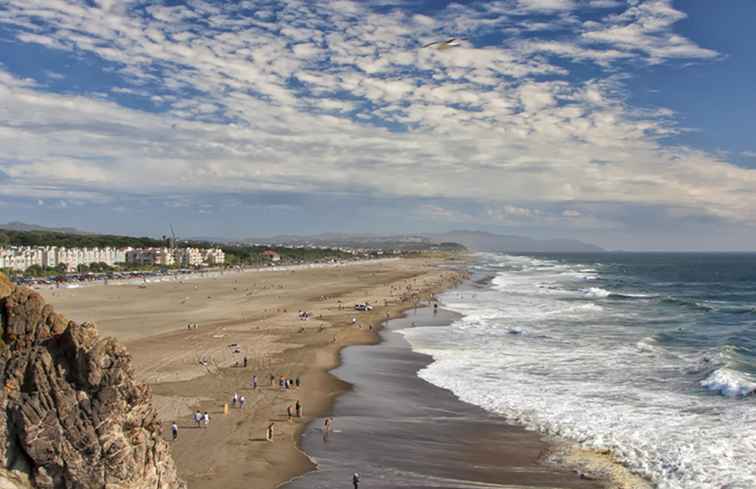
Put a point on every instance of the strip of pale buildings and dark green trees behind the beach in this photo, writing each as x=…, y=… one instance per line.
x=44, y=255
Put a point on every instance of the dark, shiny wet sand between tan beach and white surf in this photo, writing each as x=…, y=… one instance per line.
x=396, y=430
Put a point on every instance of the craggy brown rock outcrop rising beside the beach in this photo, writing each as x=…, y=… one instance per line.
x=71, y=413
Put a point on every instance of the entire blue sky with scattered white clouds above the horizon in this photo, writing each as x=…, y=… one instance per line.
x=624, y=123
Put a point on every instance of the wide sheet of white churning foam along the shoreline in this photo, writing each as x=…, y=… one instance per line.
x=570, y=373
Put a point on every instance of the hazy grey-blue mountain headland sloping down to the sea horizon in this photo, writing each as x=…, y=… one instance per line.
x=483, y=241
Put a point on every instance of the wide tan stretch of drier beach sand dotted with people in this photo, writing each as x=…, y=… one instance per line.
x=256, y=313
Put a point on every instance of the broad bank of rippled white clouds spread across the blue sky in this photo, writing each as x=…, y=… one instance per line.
x=253, y=105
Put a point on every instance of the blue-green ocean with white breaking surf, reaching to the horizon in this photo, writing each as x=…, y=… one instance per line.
x=651, y=356
